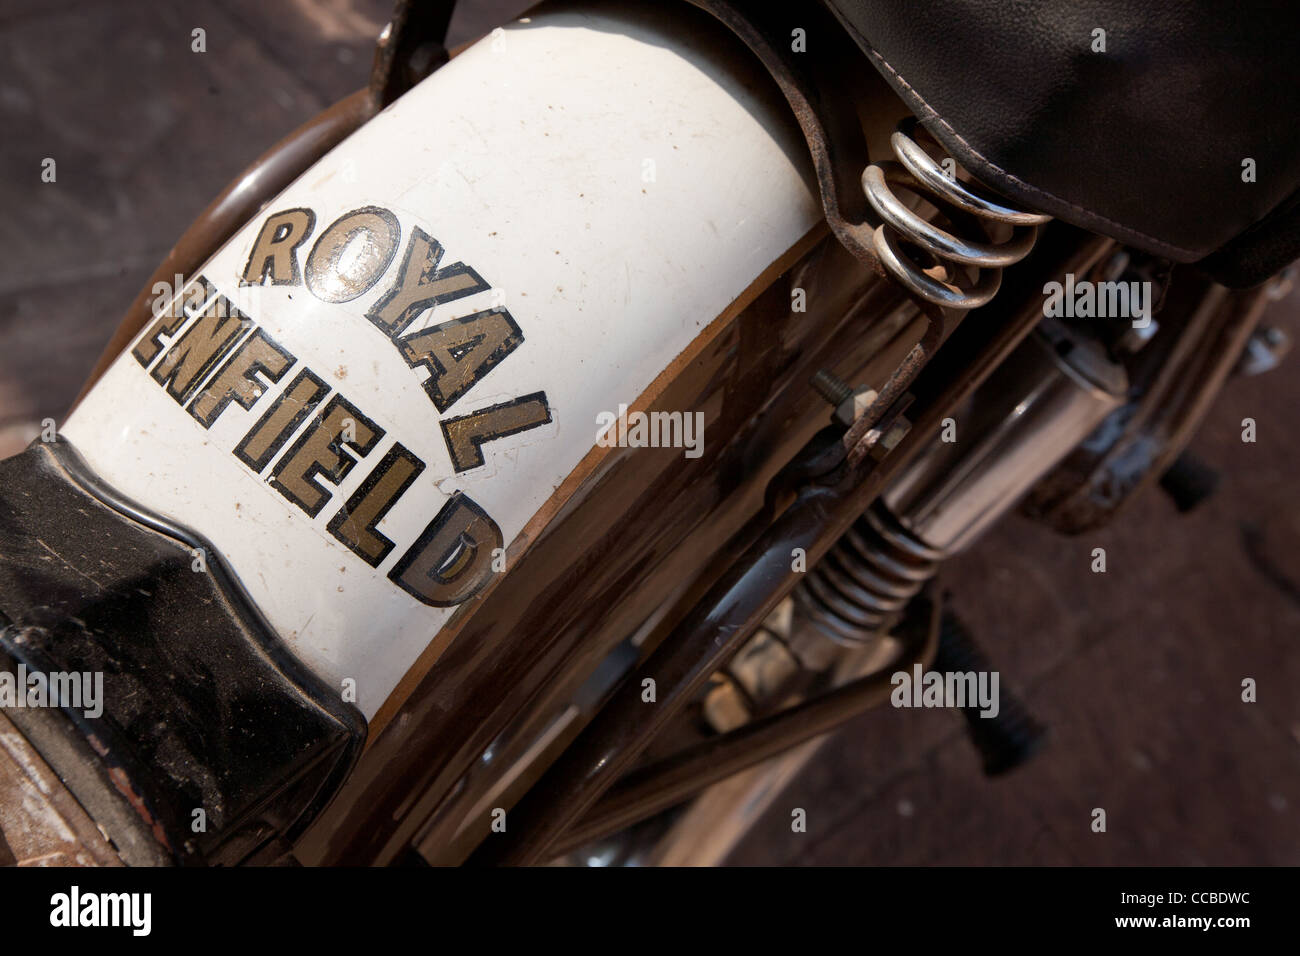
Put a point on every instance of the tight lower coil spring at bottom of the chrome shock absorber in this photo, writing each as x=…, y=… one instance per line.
x=866, y=578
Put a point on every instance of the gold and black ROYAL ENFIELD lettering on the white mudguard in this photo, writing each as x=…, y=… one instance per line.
x=206, y=354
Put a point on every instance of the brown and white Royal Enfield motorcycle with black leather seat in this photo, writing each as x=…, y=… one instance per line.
x=534, y=457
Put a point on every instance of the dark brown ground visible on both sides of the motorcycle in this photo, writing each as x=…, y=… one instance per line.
x=1138, y=672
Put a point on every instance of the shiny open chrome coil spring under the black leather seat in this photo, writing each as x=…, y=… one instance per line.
x=961, y=204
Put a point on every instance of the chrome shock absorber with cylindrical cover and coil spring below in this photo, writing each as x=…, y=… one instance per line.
x=1046, y=399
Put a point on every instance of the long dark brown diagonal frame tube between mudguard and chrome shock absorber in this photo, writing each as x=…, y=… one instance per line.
x=738, y=604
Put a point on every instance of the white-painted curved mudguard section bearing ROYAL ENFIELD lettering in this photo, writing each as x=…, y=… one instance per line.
x=371, y=396
